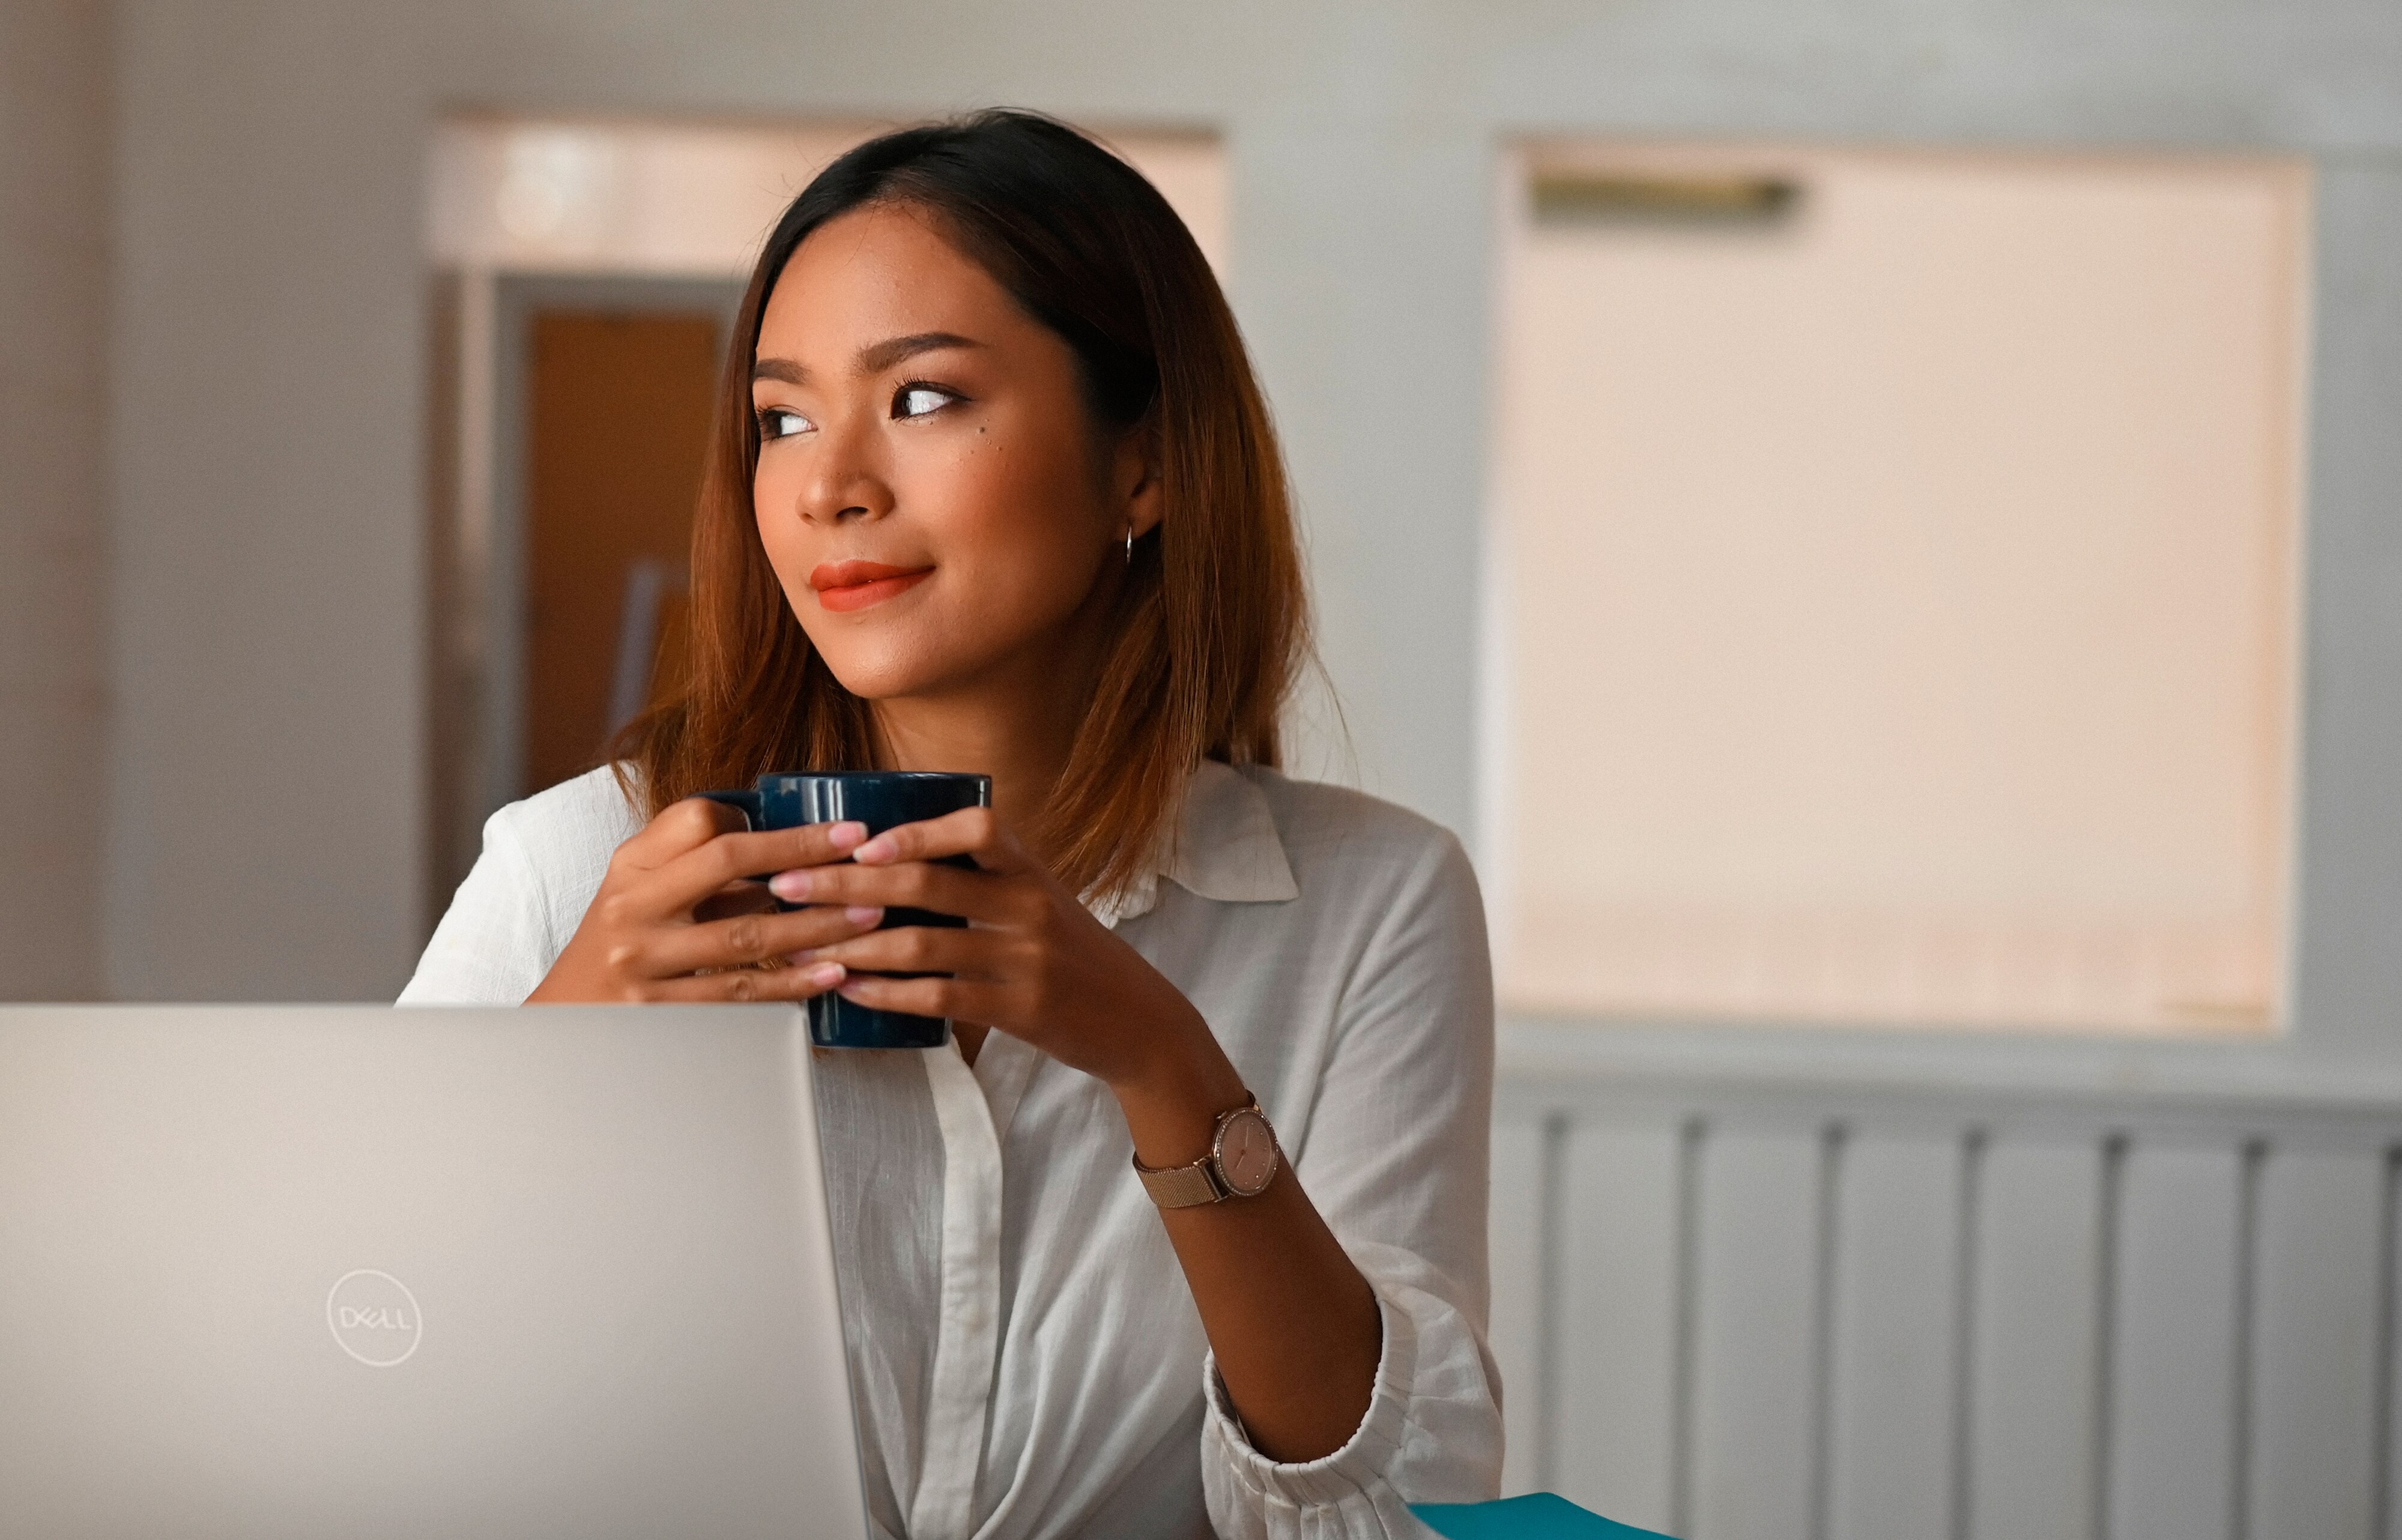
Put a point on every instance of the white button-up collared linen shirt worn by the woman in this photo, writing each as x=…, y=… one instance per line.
x=1024, y=1351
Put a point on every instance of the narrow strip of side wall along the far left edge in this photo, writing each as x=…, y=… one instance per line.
x=54, y=662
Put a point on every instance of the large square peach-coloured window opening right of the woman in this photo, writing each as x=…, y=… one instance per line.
x=1887, y=655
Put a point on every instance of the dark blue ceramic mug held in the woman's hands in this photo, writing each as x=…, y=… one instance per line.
x=883, y=801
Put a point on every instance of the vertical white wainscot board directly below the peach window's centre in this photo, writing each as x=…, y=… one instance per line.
x=1894, y=1409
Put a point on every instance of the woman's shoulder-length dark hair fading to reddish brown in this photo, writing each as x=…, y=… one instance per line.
x=1212, y=621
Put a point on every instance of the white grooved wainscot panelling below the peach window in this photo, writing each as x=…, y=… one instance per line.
x=1769, y=1287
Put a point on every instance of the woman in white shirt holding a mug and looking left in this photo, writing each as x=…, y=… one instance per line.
x=993, y=491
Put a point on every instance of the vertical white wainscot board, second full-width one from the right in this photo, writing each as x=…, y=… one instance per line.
x=2175, y=1359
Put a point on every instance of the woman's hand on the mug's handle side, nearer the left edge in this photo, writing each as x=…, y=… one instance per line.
x=681, y=919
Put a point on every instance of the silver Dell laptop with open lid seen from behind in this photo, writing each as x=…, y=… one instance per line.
x=417, y=1272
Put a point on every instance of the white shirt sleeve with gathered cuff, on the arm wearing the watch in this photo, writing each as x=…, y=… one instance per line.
x=1397, y=1159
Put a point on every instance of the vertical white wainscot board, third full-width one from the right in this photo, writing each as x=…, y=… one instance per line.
x=2036, y=1335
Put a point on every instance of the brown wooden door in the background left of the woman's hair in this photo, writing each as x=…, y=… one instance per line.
x=619, y=424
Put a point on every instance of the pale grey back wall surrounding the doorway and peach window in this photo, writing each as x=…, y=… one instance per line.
x=270, y=366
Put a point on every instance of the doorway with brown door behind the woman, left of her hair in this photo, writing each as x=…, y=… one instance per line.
x=563, y=592
